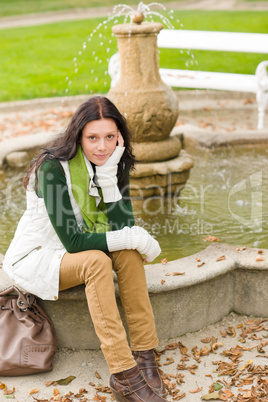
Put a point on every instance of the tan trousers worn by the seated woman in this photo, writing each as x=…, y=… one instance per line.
x=95, y=269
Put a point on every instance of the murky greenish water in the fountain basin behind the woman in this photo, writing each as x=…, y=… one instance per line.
x=226, y=196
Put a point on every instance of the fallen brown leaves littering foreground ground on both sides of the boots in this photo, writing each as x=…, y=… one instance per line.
x=234, y=377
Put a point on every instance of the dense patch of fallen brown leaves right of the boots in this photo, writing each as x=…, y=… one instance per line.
x=237, y=375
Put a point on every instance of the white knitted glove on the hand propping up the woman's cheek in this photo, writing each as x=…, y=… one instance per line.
x=106, y=176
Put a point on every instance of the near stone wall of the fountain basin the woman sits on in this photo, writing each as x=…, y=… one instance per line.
x=185, y=297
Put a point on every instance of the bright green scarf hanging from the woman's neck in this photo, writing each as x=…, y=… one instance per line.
x=95, y=217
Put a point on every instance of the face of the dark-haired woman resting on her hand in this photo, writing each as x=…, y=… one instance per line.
x=99, y=139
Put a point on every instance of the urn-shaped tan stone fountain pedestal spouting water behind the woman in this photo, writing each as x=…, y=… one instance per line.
x=151, y=109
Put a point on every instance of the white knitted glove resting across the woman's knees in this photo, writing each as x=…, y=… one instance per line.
x=134, y=238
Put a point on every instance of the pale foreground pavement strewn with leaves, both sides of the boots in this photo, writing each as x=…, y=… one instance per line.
x=230, y=355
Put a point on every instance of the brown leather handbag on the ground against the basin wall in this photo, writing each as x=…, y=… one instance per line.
x=27, y=336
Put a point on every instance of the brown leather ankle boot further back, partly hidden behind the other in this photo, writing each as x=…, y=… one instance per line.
x=149, y=369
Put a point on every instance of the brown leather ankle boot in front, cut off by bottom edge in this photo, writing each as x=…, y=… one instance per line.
x=130, y=386
